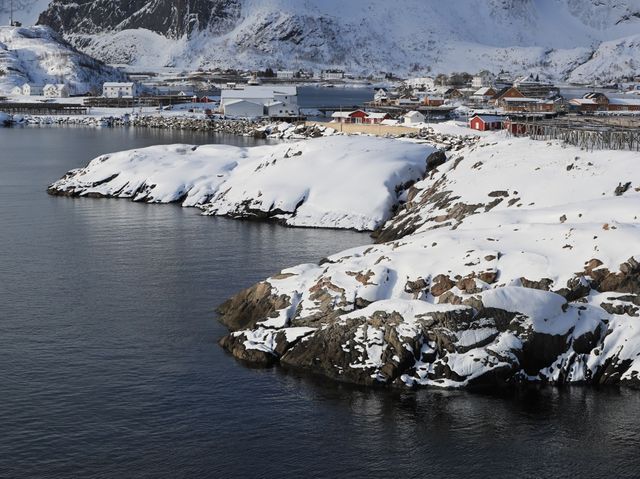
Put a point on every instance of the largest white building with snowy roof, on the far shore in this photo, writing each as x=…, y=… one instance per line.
x=254, y=101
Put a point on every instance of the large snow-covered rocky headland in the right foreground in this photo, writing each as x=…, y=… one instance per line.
x=516, y=260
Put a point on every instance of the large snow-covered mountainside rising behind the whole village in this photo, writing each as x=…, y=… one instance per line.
x=552, y=37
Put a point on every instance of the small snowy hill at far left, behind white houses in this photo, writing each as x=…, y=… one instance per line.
x=38, y=56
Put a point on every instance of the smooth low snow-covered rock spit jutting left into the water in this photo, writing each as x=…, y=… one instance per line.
x=335, y=182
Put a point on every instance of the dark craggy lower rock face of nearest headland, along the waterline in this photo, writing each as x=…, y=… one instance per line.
x=444, y=345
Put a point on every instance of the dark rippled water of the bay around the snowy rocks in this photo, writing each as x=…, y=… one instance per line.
x=109, y=366
